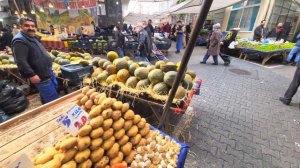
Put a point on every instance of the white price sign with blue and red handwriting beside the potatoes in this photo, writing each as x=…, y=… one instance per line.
x=73, y=119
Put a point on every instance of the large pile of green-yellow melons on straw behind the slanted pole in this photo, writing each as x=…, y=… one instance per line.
x=140, y=76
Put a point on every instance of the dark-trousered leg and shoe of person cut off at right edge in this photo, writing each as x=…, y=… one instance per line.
x=292, y=88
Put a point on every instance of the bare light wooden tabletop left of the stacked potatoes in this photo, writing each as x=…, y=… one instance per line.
x=34, y=130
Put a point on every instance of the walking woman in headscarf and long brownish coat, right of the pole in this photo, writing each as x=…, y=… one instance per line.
x=214, y=45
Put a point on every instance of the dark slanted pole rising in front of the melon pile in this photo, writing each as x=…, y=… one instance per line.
x=186, y=57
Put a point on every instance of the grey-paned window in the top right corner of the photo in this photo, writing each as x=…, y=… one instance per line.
x=287, y=12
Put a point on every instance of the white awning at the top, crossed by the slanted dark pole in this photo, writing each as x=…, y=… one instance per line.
x=195, y=8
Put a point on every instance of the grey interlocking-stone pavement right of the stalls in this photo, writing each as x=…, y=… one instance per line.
x=239, y=121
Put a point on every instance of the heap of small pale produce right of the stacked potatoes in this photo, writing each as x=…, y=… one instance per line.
x=160, y=152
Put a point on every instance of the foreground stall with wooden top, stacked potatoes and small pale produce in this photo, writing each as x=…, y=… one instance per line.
x=114, y=134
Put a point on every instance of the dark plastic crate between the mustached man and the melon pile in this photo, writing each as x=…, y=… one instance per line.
x=76, y=72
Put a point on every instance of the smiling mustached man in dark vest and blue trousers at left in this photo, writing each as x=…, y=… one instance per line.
x=33, y=60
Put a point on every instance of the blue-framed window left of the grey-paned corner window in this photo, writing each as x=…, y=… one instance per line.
x=243, y=15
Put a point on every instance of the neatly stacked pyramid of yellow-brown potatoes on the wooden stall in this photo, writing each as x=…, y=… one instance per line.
x=110, y=137
